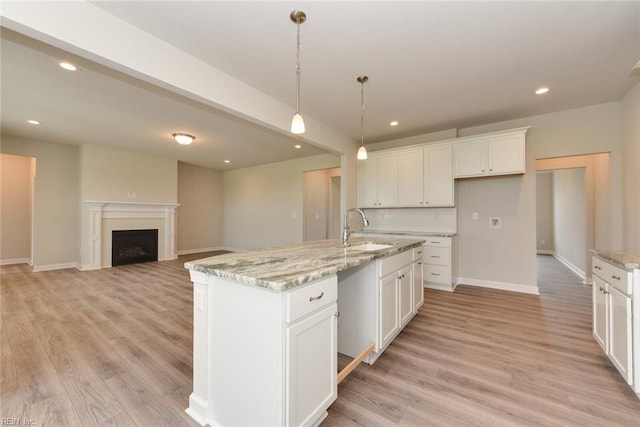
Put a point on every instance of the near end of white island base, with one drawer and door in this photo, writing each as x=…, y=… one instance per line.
x=262, y=357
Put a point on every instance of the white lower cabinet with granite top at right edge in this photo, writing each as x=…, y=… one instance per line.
x=613, y=314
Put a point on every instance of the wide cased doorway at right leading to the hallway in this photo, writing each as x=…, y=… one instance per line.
x=572, y=209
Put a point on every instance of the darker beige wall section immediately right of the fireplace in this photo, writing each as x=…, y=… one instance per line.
x=199, y=216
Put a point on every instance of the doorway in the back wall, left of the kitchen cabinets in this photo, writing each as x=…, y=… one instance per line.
x=321, y=210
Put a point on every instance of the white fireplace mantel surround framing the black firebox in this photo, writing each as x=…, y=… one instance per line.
x=94, y=212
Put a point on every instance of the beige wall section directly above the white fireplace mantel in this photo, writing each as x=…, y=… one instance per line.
x=111, y=174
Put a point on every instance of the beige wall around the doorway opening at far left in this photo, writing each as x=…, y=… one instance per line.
x=56, y=230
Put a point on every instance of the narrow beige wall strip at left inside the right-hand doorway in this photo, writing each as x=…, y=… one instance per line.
x=544, y=212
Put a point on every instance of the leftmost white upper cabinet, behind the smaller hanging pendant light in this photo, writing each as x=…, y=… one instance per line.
x=378, y=180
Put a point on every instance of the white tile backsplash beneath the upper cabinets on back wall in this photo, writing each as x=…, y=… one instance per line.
x=413, y=219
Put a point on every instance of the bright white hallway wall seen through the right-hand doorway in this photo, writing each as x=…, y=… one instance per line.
x=570, y=218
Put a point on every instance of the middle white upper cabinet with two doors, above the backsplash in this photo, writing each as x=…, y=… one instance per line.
x=425, y=177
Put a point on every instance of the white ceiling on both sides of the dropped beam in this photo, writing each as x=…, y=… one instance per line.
x=432, y=66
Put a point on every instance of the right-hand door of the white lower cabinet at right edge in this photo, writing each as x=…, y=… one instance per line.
x=620, y=344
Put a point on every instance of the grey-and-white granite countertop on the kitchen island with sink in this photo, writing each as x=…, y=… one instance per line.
x=284, y=267
